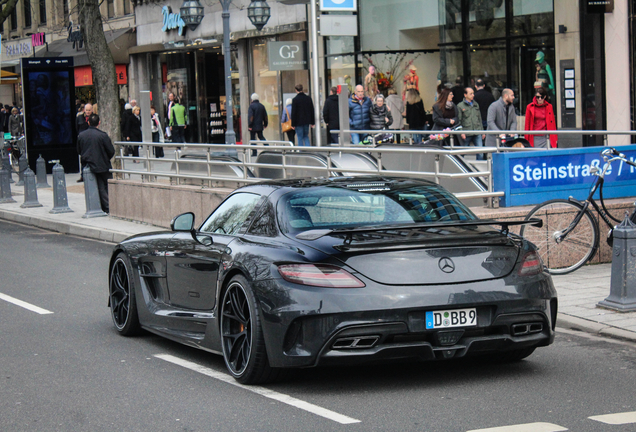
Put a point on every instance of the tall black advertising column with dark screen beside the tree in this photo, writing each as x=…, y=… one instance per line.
x=47, y=91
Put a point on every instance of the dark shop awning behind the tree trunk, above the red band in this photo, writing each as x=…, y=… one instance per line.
x=119, y=41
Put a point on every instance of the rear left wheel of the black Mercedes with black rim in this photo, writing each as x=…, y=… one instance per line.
x=242, y=335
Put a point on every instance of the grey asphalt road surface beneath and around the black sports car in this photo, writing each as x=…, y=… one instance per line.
x=68, y=370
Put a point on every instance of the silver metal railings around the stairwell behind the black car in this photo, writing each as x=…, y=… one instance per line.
x=238, y=157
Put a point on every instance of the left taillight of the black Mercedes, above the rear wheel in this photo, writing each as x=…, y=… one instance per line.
x=319, y=275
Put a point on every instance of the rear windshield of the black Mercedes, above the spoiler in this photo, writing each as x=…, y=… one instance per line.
x=341, y=207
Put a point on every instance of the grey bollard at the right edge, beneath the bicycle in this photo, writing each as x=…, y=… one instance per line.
x=622, y=296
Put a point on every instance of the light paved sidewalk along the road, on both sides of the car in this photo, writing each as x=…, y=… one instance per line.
x=579, y=292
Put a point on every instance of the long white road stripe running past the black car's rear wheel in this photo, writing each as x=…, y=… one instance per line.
x=283, y=398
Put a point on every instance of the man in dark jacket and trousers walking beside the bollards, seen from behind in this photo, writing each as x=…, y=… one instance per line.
x=96, y=150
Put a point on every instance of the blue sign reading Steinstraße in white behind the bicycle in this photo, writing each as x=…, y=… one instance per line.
x=534, y=177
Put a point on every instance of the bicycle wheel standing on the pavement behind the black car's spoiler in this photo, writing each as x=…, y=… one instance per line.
x=577, y=247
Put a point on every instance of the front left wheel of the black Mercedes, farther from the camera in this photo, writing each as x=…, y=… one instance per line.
x=122, y=300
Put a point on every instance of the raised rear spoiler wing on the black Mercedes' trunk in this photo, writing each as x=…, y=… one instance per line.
x=318, y=233
